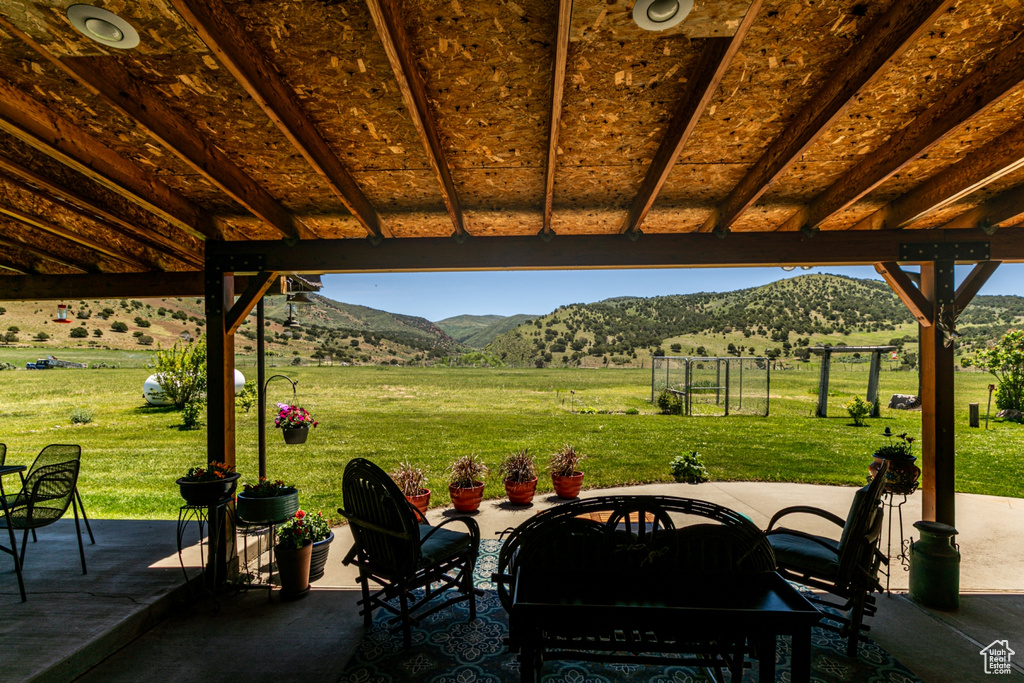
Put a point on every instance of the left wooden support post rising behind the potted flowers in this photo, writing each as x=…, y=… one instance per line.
x=223, y=562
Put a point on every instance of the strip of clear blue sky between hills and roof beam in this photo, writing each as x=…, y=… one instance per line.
x=440, y=295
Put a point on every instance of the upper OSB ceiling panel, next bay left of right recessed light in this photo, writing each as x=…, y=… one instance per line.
x=488, y=69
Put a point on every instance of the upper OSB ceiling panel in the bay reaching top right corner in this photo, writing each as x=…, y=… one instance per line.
x=961, y=41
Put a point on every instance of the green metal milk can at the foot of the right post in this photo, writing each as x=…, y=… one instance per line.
x=935, y=567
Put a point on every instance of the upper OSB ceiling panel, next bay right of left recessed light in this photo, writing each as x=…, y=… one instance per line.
x=346, y=84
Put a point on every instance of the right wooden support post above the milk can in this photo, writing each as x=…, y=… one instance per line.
x=938, y=434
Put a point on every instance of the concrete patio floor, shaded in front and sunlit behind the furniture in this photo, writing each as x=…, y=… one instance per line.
x=133, y=618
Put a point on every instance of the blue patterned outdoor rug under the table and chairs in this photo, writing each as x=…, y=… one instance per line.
x=449, y=649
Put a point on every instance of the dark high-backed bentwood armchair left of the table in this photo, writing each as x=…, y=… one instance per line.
x=402, y=556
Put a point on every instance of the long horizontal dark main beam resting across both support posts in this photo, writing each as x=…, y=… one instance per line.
x=608, y=251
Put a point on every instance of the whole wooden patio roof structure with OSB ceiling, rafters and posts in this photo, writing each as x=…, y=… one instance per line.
x=244, y=141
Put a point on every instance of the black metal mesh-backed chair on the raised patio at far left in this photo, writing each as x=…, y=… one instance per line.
x=48, y=494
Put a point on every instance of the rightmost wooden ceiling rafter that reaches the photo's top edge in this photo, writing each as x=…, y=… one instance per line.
x=890, y=37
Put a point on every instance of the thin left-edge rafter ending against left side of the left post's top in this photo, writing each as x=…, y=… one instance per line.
x=75, y=202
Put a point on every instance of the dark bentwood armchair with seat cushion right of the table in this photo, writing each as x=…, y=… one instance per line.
x=847, y=568
